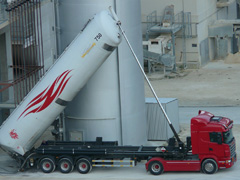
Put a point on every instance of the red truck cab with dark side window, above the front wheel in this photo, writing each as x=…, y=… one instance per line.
x=212, y=138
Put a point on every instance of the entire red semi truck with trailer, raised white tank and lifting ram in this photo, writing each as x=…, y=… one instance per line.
x=210, y=147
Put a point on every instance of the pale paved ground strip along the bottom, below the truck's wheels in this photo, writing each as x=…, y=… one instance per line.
x=129, y=173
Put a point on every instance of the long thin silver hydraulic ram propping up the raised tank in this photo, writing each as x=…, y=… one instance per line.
x=144, y=74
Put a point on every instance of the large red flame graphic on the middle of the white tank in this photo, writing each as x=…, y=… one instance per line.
x=48, y=95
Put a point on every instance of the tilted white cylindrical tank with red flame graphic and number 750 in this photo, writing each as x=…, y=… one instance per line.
x=60, y=84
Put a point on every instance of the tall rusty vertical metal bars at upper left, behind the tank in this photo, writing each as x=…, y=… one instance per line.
x=25, y=24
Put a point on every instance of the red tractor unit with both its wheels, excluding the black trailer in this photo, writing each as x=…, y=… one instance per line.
x=211, y=147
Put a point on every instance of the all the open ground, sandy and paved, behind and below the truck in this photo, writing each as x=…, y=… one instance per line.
x=214, y=88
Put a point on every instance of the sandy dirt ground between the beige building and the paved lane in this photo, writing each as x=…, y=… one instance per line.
x=216, y=84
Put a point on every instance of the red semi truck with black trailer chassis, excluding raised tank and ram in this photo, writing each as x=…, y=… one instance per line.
x=210, y=147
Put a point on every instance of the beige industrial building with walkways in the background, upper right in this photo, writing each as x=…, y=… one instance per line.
x=204, y=30
